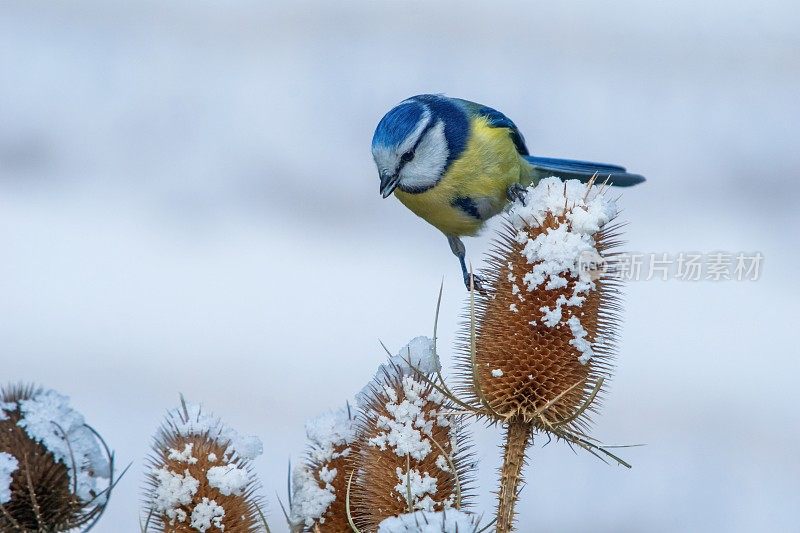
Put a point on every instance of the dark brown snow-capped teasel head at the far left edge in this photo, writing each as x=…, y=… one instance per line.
x=56, y=473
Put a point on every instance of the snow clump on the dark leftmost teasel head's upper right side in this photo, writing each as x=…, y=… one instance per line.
x=48, y=419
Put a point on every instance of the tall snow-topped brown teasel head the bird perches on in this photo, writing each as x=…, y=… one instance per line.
x=543, y=333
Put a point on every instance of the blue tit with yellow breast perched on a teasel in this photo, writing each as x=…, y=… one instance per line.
x=456, y=164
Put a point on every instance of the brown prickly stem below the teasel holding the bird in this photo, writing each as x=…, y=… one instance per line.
x=518, y=436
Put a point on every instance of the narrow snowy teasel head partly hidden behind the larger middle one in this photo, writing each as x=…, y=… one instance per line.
x=319, y=486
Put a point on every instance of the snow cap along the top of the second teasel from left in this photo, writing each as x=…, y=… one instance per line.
x=199, y=422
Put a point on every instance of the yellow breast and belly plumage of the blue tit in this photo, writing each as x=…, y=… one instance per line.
x=484, y=171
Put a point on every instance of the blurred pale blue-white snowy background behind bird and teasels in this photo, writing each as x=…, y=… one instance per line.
x=188, y=204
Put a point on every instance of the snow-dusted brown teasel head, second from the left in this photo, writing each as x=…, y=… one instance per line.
x=199, y=476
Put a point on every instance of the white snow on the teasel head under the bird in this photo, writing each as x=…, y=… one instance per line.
x=557, y=255
